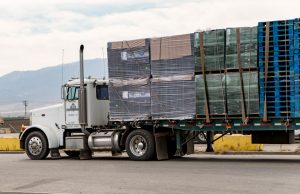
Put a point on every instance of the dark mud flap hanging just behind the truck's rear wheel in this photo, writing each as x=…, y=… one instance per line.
x=161, y=146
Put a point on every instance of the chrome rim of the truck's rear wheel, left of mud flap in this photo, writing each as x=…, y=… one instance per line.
x=138, y=145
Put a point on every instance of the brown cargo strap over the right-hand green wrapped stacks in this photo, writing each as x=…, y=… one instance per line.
x=238, y=48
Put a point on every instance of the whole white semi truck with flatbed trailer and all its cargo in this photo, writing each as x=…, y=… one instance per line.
x=171, y=89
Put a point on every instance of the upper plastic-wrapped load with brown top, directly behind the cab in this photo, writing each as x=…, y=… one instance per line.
x=129, y=59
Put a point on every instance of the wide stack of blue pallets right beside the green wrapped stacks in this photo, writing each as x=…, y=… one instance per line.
x=277, y=84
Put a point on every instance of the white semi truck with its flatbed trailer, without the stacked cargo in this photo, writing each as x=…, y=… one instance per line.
x=80, y=126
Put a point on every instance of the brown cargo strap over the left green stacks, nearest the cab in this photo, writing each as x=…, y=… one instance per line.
x=202, y=62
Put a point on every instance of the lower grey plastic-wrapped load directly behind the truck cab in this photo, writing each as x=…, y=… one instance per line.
x=130, y=102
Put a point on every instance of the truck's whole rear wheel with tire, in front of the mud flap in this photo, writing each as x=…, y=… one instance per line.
x=140, y=145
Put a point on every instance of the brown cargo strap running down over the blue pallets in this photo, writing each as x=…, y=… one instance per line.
x=265, y=118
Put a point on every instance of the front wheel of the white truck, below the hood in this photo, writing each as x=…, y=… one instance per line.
x=36, y=146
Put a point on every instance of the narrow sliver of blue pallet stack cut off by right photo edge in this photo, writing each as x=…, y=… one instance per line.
x=297, y=66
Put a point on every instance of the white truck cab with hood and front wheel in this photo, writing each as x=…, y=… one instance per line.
x=50, y=125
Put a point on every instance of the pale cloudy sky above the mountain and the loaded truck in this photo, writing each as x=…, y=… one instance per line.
x=34, y=34
